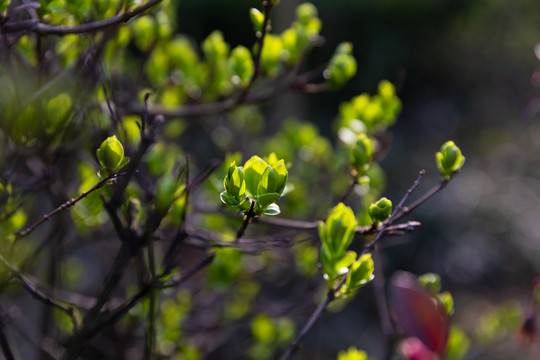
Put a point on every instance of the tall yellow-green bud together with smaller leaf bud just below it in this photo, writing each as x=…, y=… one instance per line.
x=336, y=235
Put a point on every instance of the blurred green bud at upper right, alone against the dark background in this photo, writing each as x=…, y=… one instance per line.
x=342, y=67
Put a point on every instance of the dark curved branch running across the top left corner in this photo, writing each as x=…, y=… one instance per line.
x=88, y=28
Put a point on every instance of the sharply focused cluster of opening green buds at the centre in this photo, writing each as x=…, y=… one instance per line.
x=256, y=185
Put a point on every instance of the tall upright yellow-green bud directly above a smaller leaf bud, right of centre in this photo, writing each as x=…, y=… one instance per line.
x=338, y=231
